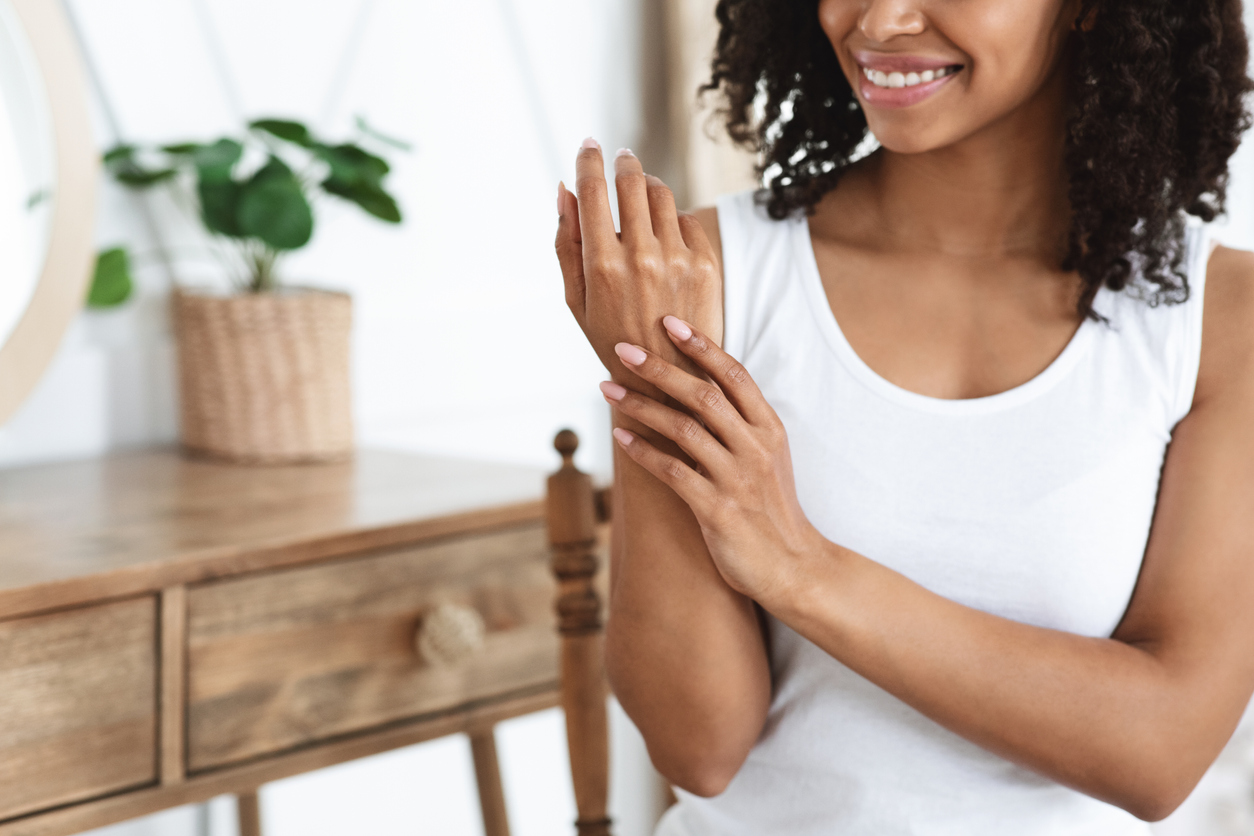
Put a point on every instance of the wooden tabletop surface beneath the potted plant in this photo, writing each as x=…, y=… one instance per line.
x=132, y=523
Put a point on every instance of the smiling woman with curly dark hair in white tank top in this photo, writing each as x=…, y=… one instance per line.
x=951, y=536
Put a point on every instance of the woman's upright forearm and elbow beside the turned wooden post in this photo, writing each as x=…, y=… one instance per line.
x=685, y=654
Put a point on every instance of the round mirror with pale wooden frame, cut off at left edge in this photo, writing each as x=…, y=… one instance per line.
x=48, y=172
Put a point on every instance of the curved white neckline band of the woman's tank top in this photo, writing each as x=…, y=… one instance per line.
x=827, y=321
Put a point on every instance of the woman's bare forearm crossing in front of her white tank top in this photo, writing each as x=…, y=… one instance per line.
x=1098, y=715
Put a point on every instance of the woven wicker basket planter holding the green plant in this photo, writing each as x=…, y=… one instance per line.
x=264, y=378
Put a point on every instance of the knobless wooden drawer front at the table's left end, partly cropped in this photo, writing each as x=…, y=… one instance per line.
x=78, y=705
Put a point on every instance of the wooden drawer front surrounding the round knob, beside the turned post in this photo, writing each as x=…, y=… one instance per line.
x=289, y=657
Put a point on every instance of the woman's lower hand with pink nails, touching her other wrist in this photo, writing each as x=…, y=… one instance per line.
x=742, y=491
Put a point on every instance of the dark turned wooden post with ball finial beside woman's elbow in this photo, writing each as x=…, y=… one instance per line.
x=572, y=531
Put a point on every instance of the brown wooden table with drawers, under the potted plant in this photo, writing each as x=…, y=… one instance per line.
x=176, y=630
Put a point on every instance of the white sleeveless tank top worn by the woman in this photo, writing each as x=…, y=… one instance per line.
x=1034, y=504
